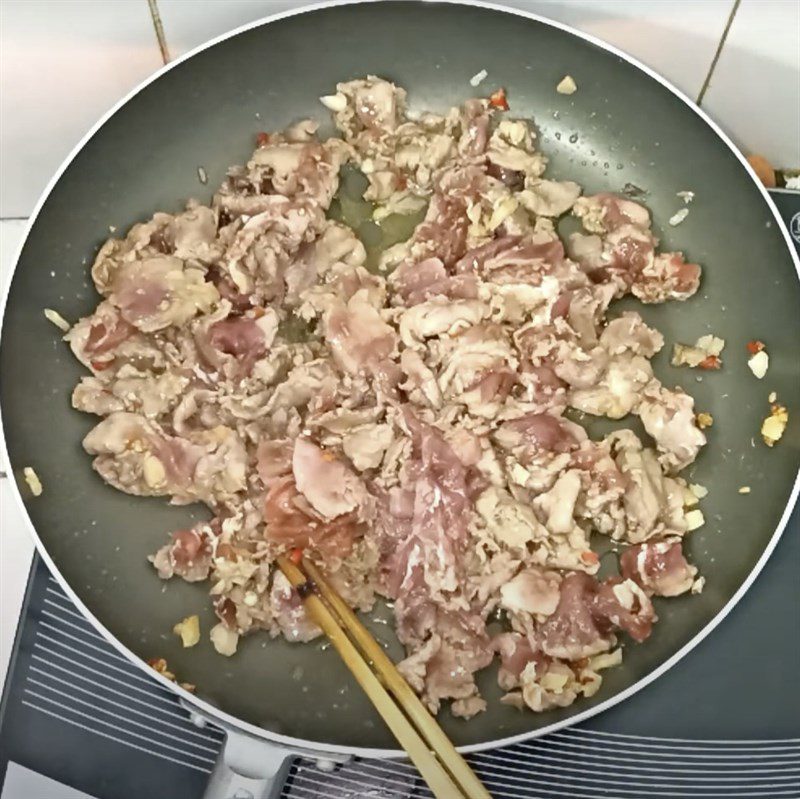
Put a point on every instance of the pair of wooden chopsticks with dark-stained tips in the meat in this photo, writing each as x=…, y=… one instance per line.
x=447, y=774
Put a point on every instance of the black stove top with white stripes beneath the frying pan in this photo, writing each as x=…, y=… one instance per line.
x=78, y=720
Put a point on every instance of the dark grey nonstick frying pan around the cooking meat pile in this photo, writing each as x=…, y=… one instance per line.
x=624, y=125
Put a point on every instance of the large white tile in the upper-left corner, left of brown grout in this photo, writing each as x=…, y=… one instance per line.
x=63, y=64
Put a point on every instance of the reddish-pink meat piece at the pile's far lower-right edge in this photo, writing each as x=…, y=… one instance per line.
x=659, y=567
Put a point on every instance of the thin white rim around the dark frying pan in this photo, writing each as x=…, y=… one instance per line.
x=228, y=721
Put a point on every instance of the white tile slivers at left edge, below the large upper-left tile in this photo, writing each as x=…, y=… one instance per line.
x=16, y=546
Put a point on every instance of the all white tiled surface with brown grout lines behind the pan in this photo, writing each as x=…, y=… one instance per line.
x=63, y=63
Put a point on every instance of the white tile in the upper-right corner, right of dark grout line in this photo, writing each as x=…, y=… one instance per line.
x=755, y=89
